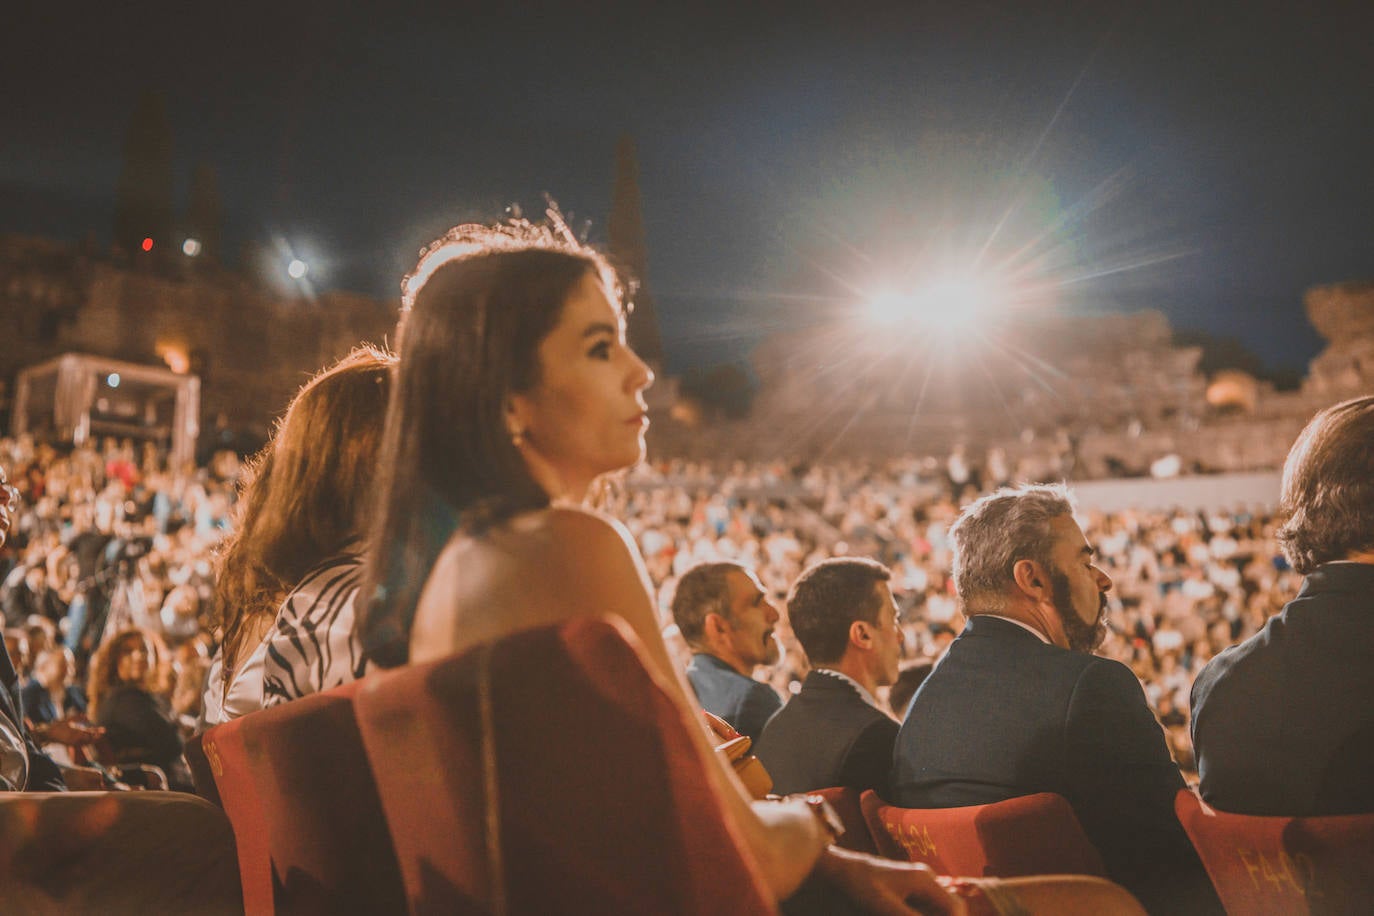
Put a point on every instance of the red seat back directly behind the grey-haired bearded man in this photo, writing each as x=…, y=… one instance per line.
x=1027, y=836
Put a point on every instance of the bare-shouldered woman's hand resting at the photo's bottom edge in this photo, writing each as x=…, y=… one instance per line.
x=888, y=888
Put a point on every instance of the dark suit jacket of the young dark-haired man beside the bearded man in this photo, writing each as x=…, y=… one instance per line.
x=828, y=735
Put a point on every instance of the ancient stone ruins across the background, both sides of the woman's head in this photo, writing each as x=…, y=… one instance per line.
x=1120, y=388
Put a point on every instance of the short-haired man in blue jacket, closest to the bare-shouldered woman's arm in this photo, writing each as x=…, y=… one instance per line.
x=728, y=620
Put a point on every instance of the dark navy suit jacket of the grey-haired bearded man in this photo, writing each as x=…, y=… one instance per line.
x=1005, y=715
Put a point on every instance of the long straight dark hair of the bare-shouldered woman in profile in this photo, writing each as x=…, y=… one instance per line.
x=479, y=306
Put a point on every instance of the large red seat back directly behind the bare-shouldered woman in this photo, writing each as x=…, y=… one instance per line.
x=550, y=772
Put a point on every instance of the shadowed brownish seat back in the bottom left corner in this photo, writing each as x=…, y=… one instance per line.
x=116, y=855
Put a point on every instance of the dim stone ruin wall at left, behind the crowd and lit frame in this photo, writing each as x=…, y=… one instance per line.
x=251, y=345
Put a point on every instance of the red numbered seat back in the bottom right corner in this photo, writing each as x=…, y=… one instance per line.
x=1284, y=866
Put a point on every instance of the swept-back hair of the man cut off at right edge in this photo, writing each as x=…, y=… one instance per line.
x=1328, y=496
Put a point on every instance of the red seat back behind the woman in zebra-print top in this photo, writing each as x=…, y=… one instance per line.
x=321, y=844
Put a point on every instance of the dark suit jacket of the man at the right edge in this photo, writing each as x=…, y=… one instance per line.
x=1284, y=723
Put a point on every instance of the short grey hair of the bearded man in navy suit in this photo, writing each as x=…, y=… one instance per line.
x=1000, y=529
